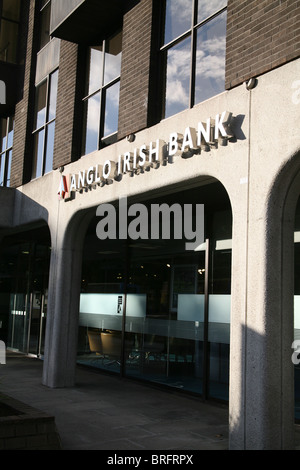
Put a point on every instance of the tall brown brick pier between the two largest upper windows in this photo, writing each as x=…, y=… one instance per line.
x=136, y=62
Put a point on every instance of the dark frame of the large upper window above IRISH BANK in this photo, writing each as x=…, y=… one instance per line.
x=164, y=48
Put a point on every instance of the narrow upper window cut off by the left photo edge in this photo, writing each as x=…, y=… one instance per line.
x=6, y=133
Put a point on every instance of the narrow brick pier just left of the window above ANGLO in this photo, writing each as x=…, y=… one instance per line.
x=68, y=117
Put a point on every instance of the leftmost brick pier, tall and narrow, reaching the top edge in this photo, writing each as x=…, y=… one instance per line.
x=22, y=146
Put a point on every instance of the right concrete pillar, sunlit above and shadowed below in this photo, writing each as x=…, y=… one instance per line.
x=261, y=406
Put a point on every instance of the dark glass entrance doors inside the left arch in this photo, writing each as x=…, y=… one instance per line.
x=29, y=265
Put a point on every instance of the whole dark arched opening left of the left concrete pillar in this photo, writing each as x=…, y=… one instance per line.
x=24, y=275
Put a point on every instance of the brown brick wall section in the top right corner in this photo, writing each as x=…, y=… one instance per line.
x=261, y=35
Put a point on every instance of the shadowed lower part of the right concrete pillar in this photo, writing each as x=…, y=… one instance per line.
x=263, y=417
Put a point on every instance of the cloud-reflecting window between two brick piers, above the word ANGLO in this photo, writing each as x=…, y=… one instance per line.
x=101, y=103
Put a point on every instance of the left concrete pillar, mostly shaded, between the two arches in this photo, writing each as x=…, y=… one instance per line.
x=63, y=305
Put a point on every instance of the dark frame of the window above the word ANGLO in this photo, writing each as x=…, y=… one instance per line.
x=102, y=139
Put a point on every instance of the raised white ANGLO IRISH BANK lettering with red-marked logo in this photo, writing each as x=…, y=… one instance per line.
x=153, y=155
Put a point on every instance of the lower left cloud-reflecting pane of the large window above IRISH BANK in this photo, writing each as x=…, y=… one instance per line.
x=178, y=78
